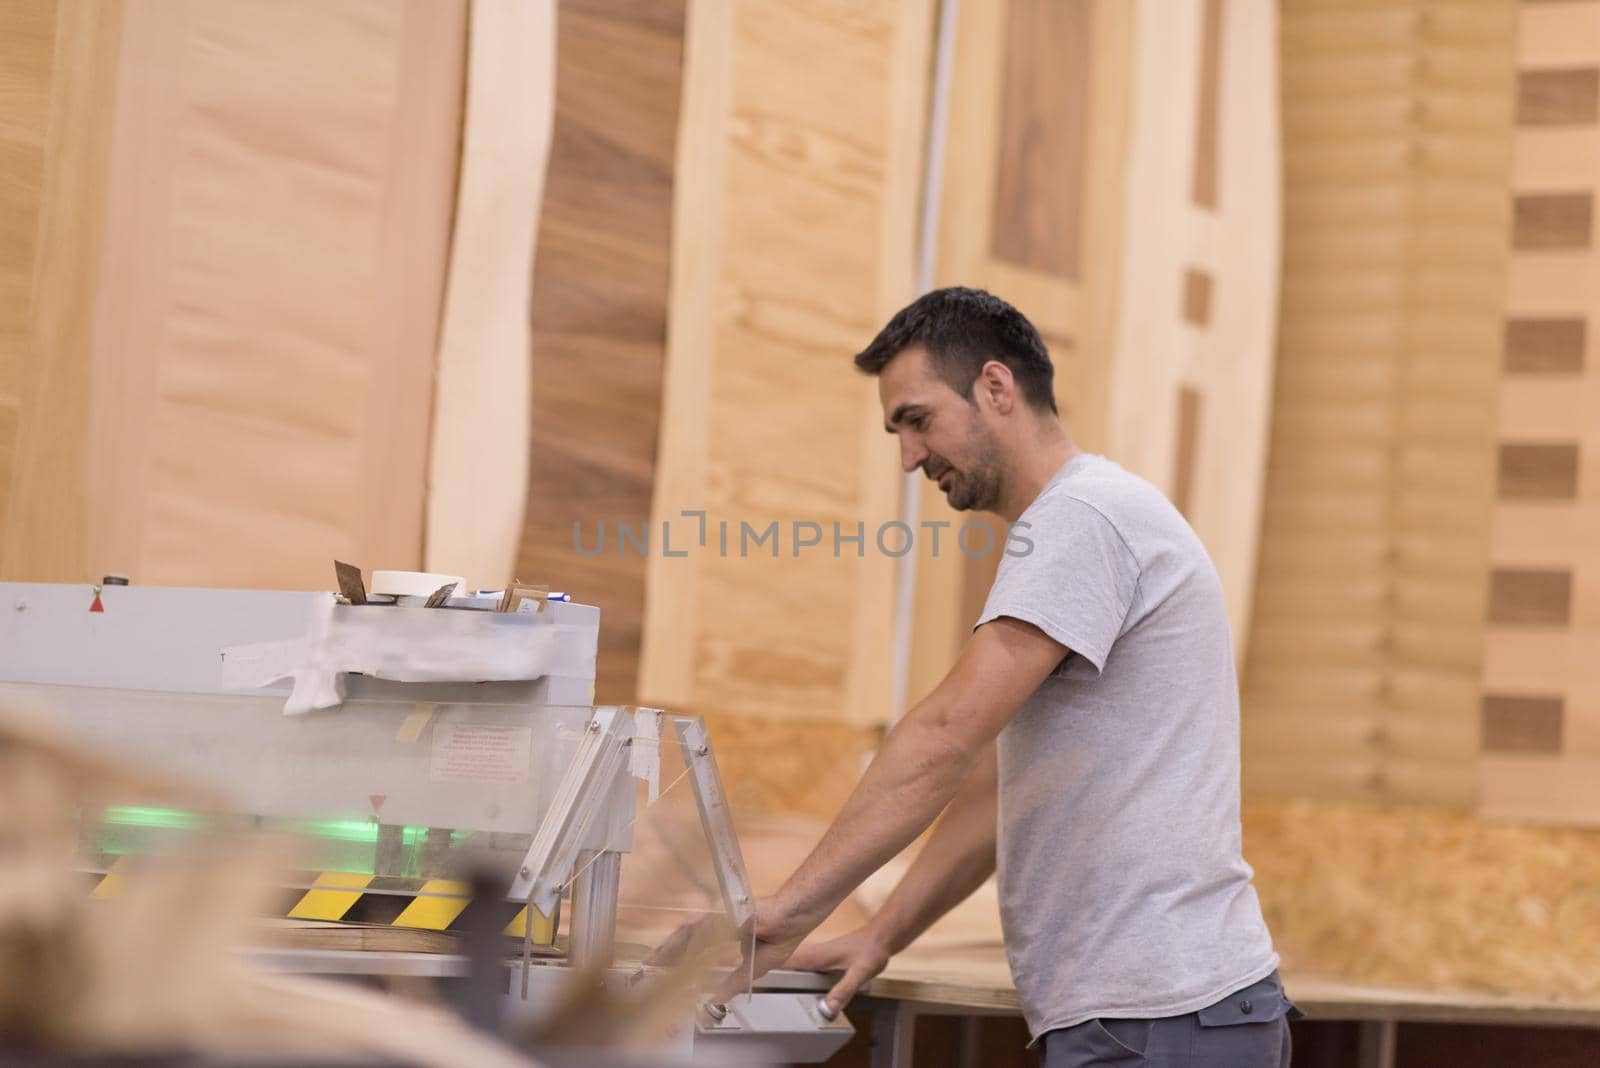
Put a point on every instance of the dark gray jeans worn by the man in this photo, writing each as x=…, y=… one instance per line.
x=1250, y=1029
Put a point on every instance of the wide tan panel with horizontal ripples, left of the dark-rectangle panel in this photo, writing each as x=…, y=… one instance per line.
x=1362, y=674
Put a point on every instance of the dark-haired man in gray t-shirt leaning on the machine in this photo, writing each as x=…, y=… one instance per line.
x=1086, y=744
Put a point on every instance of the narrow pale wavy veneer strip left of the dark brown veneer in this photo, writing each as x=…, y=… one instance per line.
x=482, y=377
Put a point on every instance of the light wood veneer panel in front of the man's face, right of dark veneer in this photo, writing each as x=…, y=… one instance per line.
x=796, y=205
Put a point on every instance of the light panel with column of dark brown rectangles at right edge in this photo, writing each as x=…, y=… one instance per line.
x=1542, y=677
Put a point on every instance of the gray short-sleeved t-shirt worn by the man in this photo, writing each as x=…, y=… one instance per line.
x=1122, y=887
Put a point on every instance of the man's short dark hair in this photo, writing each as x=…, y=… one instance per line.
x=964, y=330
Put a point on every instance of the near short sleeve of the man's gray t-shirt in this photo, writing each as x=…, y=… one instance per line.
x=1068, y=573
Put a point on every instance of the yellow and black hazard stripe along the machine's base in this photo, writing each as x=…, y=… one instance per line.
x=394, y=903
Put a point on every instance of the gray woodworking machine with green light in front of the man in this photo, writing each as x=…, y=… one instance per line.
x=399, y=744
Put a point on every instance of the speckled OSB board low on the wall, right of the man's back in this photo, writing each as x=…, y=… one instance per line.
x=1428, y=898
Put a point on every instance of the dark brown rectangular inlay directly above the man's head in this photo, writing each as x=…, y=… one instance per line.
x=1044, y=135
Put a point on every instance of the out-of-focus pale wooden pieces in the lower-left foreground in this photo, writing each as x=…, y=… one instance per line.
x=154, y=970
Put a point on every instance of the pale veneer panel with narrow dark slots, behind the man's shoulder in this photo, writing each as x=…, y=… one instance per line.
x=1234, y=244
